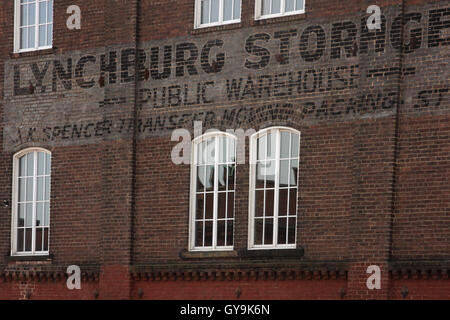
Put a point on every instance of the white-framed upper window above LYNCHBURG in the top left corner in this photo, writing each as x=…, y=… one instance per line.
x=33, y=25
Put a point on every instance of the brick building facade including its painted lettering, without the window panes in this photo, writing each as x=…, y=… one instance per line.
x=371, y=109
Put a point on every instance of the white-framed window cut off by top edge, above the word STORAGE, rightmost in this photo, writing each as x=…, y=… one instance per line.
x=278, y=8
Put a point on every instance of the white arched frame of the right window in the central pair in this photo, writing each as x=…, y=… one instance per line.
x=252, y=192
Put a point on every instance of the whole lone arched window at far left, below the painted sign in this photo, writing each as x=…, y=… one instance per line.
x=31, y=202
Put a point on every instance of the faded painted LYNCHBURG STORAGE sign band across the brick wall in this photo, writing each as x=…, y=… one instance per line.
x=313, y=72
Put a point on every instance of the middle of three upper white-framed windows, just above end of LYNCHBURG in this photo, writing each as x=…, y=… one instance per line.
x=210, y=13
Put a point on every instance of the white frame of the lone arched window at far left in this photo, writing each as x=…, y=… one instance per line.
x=15, y=195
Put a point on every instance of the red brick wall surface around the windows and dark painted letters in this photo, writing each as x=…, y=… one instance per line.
x=373, y=185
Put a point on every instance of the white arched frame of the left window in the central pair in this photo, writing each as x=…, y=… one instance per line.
x=193, y=185
